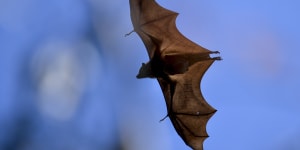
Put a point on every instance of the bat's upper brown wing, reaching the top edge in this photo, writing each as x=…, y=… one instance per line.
x=156, y=27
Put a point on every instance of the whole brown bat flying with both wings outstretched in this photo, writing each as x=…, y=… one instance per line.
x=179, y=65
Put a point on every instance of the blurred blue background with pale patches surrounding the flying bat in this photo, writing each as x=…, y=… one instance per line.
x=67, y=78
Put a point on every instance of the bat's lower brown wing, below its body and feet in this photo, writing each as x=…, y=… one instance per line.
x=187, y=109
